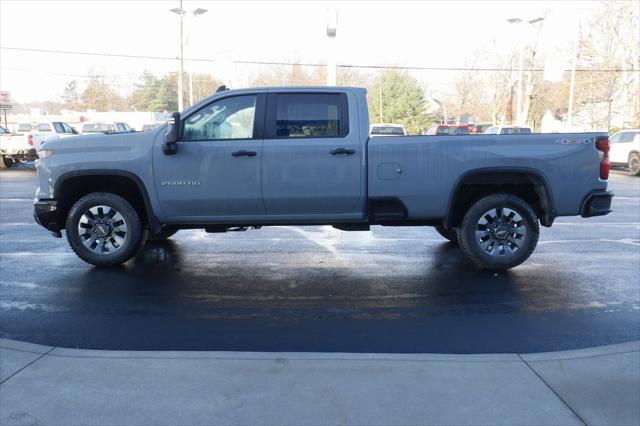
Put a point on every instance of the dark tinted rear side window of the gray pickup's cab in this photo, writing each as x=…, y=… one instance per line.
x=309, y=115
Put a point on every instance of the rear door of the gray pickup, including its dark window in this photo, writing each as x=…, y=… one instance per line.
x=312, y=161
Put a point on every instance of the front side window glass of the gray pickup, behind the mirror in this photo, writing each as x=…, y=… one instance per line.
x=229, y=118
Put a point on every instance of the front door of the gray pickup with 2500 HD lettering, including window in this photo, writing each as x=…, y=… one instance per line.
x=216, y=170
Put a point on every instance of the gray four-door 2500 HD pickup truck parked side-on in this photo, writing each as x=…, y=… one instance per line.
x=302, y=156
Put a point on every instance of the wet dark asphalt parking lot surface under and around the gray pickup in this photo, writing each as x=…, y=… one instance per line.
x=323, y=290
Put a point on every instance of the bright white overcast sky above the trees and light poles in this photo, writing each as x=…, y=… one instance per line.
x=430, y=33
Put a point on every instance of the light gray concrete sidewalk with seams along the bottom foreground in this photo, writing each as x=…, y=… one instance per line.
x=46, y=385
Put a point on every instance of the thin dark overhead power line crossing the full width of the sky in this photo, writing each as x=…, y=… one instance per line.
x=304, y=64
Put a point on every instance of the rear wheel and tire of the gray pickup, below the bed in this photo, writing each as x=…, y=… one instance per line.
x=505, y=241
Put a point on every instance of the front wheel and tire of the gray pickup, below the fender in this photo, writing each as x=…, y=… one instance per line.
x=133, y=238
